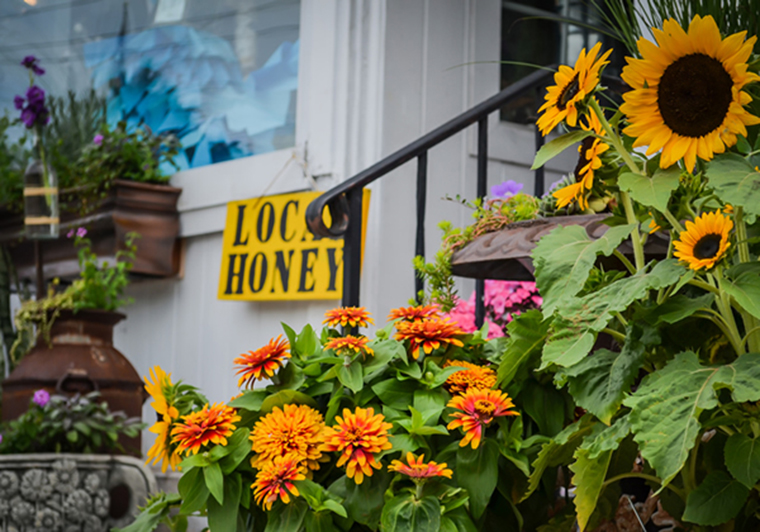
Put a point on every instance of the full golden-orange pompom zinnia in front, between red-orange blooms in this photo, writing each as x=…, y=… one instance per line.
x=294, y=431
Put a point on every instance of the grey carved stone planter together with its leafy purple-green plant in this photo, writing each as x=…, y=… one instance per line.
x=51, y=480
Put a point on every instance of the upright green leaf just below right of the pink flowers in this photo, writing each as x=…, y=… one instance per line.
x=527, y=334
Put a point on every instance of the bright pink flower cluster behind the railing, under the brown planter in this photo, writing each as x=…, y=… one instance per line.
x=503, y=300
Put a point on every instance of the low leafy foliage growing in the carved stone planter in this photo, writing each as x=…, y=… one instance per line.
x=79, y=424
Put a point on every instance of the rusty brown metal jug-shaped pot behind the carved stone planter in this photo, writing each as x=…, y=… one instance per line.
x=81, y=358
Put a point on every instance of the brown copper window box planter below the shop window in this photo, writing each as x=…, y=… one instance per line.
x=150, y=210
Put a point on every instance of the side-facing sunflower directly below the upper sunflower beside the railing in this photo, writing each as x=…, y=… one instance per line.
x=589, y=160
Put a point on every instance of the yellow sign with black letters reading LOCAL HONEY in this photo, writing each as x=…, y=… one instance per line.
x=268, y=253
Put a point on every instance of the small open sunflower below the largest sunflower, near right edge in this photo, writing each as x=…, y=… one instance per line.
x=704, y=241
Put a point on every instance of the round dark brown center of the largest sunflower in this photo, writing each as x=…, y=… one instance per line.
x=694, y=95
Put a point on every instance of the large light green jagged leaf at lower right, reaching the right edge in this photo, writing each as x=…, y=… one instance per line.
x=666, y=406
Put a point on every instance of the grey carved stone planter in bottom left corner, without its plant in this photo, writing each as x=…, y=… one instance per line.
x=71, y=492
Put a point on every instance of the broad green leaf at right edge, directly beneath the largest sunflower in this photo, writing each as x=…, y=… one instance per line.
x=735, y=181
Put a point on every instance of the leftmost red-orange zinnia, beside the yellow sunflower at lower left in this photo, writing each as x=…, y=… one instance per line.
x=213, y=425
